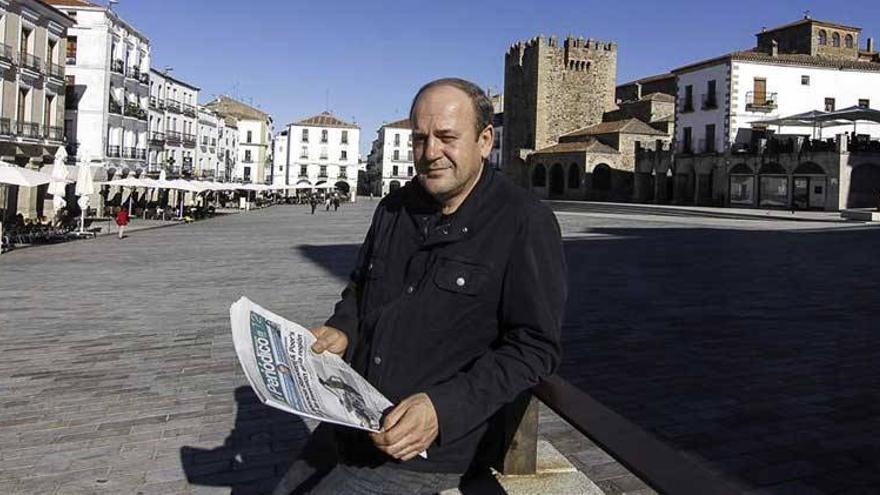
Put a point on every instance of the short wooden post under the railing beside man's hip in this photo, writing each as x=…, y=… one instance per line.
x=521, y=425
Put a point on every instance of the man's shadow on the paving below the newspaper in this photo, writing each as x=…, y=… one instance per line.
x=257, y=453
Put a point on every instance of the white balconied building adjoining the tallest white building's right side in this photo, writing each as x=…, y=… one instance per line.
x=173, y=125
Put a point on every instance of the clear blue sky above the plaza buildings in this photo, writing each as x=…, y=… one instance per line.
x=371, y=56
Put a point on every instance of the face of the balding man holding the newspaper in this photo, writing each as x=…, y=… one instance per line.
x=448, y=152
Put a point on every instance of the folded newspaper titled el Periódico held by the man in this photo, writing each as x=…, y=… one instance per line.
x=286, y=374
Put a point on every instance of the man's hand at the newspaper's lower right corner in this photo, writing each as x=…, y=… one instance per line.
x=408, y=429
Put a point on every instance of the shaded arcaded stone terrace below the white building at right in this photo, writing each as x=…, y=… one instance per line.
x=814, y=175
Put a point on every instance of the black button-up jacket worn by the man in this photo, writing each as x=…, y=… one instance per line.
x=467, y=309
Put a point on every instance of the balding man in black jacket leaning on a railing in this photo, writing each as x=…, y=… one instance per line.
x=454, y=307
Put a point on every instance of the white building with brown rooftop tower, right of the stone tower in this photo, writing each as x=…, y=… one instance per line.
x=803, y=66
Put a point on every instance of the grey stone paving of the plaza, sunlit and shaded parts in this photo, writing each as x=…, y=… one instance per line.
x=745, y=342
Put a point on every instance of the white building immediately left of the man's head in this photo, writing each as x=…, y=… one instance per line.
x=393, y=155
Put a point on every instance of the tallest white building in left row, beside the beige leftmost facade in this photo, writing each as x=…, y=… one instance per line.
x=108, y=66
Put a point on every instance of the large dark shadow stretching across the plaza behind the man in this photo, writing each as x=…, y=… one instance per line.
x=752, y=351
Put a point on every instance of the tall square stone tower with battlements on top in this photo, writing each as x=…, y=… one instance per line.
x=550, y=90
